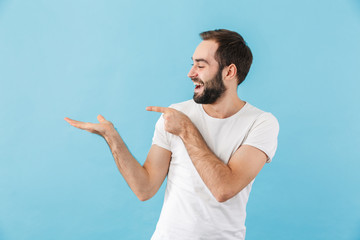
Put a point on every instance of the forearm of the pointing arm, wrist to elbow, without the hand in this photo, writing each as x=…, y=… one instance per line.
x=215, y=174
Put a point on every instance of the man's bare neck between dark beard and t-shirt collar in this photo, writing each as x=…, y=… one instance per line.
x=225, y=106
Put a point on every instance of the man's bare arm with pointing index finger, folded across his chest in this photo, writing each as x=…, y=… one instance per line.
x=223, y=180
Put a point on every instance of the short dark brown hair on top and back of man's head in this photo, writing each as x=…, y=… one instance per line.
x=232, y=49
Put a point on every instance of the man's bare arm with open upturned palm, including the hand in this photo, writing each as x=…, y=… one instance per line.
x=144, y=180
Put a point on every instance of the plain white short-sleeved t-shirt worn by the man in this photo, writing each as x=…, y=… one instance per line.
x=190, y=211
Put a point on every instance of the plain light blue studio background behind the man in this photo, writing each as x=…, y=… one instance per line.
x=81, y=58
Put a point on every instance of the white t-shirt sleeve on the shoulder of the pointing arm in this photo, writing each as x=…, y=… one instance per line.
x=263, y=135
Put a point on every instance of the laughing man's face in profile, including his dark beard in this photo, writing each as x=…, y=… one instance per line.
x=206, y=75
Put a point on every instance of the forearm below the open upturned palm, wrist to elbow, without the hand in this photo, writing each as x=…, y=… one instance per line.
x=134, y=174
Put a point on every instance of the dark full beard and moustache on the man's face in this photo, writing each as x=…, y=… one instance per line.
x=213, y=90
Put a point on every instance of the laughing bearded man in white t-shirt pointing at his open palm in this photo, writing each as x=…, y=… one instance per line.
x=211, y=148
